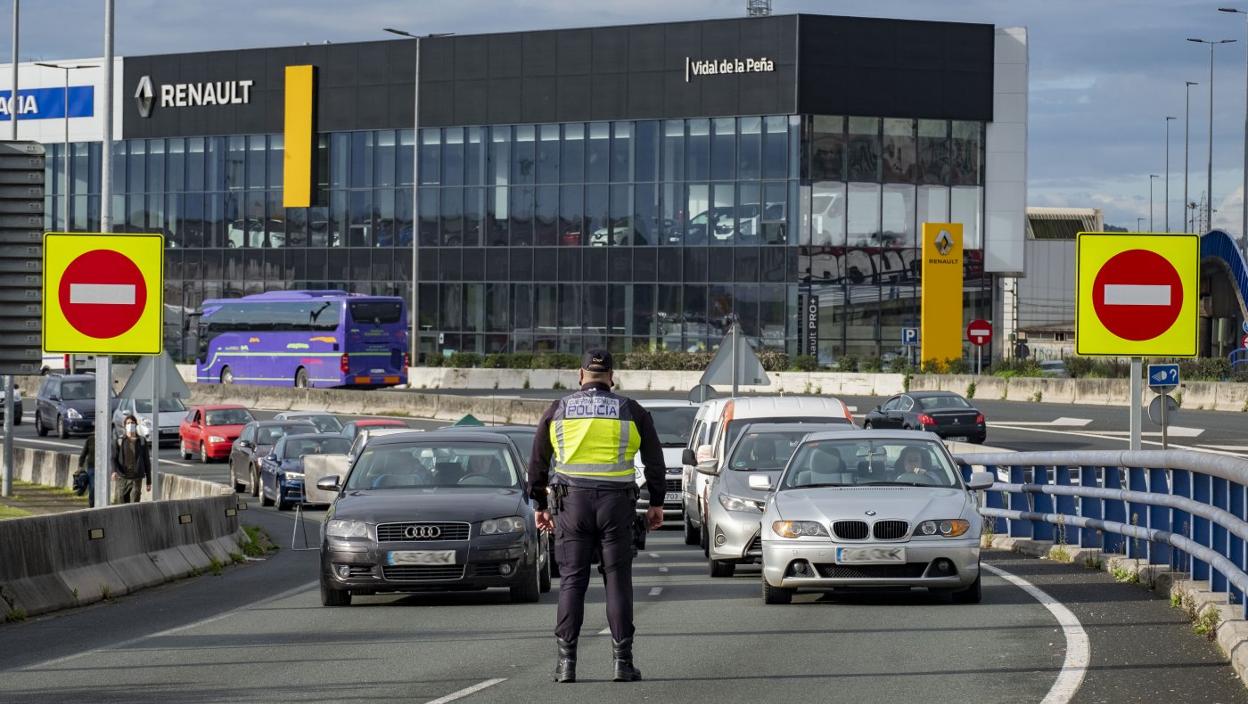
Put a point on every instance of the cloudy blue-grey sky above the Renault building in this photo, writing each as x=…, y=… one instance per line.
x=1104, y=73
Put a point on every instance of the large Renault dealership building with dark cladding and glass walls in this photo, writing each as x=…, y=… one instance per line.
x=630, y=187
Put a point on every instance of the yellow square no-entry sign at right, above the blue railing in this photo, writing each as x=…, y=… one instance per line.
x=1138, y=295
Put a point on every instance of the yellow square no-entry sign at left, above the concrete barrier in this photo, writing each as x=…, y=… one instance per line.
x=104, y=294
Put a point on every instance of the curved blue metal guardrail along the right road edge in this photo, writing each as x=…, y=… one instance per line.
x=1170, y=507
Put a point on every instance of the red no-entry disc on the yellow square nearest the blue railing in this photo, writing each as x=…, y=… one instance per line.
x=1138, y=295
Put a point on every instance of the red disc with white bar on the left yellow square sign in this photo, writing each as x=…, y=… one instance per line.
x=103, y=294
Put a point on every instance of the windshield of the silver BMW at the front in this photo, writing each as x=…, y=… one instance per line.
x=869, y=462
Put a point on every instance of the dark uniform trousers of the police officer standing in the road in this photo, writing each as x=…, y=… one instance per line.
x=591, y=517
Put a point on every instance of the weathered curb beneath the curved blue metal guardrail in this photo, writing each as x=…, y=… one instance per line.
x=1220, y=621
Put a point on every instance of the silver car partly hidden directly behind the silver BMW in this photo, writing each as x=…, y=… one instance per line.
x=741, y=491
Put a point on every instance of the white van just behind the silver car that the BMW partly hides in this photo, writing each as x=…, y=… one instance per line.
x=733, y=416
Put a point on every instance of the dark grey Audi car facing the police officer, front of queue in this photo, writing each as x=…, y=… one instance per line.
x=442, y=511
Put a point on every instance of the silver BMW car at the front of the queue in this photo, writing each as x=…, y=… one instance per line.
x=878, y=509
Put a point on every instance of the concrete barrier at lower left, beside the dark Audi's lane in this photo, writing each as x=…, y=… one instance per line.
x=69, y=560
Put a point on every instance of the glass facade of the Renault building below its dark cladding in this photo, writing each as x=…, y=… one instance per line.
x=632, y=235
